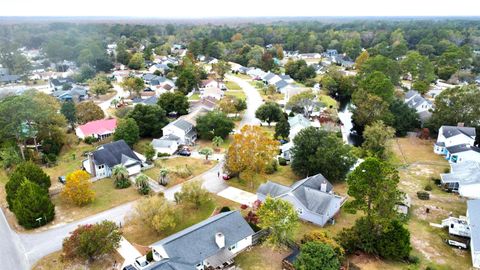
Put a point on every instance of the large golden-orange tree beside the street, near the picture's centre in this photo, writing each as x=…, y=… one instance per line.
x=250, y=152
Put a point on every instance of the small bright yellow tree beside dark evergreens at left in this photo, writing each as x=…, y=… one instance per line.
x=78, y=188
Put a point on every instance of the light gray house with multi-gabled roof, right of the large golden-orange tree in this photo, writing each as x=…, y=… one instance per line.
x=312, y=197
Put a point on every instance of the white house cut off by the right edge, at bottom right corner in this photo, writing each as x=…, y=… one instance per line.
x=473, y=217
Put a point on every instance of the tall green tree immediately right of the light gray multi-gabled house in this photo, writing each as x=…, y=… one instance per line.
x=364, y=183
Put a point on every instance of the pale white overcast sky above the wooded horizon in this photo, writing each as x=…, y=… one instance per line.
x=239, y=8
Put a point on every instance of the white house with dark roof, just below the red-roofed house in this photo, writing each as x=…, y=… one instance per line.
x=101, y=161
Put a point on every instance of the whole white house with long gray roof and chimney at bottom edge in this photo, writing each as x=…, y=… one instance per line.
x=210, y=244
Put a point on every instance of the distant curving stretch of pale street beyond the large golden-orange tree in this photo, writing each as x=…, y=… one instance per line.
x=254, y=100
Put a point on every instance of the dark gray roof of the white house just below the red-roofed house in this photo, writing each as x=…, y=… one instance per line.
x=112, y=153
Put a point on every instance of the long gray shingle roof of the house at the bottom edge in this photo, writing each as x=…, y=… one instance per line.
x=196, y=243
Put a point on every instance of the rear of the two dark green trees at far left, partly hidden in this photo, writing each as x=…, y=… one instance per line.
x=25, y=170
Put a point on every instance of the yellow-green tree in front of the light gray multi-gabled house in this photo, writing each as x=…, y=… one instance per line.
x=281, y=218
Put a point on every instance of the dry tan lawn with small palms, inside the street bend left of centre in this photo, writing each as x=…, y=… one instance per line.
x=180, y=168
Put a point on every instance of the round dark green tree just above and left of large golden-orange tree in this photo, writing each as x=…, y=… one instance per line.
x=214, y=124
